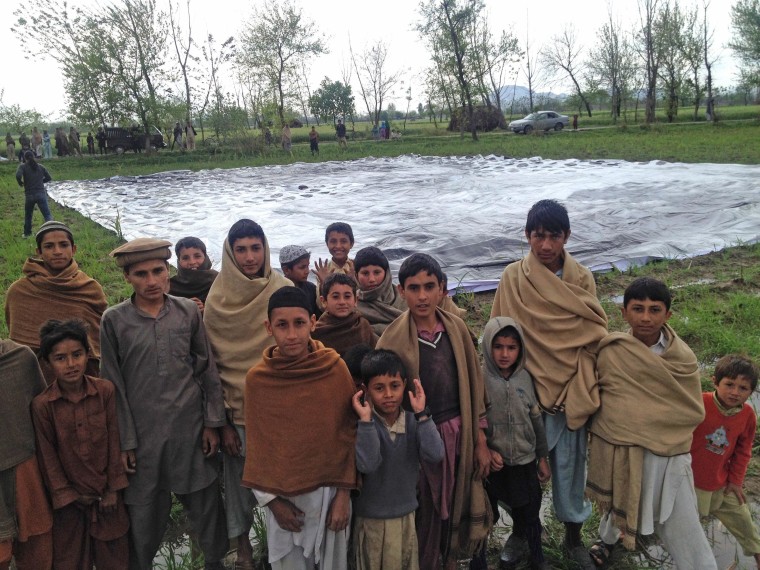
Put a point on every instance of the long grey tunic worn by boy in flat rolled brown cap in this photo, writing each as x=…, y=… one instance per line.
x=167, y=390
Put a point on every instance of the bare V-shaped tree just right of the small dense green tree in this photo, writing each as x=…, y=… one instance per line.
x=375, y=80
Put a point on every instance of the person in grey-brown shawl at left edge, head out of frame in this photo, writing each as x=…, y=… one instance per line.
x=26, y=520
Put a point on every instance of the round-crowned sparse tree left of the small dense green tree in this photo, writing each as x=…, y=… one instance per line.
x=276, y=42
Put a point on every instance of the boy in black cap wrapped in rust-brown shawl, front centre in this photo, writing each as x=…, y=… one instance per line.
x=301, y=432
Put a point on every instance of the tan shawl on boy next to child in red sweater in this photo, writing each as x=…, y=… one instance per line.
x=649, y=402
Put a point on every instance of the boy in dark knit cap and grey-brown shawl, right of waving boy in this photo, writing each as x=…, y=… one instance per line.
x=377, y=299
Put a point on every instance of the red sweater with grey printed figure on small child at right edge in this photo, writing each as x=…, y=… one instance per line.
x=722, y=446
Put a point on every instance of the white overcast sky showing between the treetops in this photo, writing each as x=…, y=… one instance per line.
x=37, y=83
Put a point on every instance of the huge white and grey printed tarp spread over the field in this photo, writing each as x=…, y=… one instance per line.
x=467, y=212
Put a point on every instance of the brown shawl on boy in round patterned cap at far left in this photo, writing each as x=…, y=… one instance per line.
x=39, y=296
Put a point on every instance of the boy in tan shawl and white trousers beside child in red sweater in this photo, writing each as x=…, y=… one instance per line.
x=640, y=473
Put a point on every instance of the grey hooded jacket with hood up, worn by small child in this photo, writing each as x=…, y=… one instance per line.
x=515, y=427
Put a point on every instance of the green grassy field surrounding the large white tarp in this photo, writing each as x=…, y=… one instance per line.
x=716, y=297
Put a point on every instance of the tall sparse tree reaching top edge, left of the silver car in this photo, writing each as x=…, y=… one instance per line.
x=445, y=25
